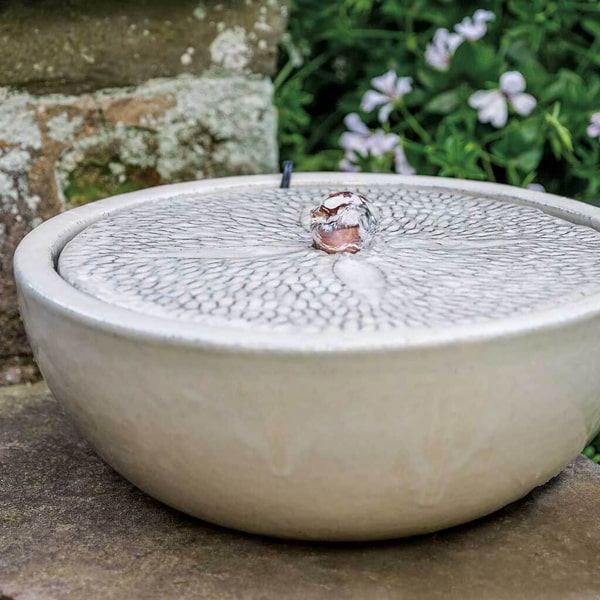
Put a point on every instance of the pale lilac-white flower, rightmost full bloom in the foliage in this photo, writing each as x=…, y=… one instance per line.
x=492, y=106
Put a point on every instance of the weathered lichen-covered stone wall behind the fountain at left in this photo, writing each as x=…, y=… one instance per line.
x=99, y=98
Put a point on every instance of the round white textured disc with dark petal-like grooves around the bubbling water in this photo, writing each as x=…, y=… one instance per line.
x=244, y=259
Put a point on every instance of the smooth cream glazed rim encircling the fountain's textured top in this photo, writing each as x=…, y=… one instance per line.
x=38, y=279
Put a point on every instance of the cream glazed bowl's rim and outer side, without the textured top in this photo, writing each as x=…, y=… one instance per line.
x=350, y=437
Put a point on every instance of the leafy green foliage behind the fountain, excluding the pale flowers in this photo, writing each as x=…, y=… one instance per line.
x=335, y=49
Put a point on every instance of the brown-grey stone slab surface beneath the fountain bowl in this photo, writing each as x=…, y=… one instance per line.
x=71, y=528
